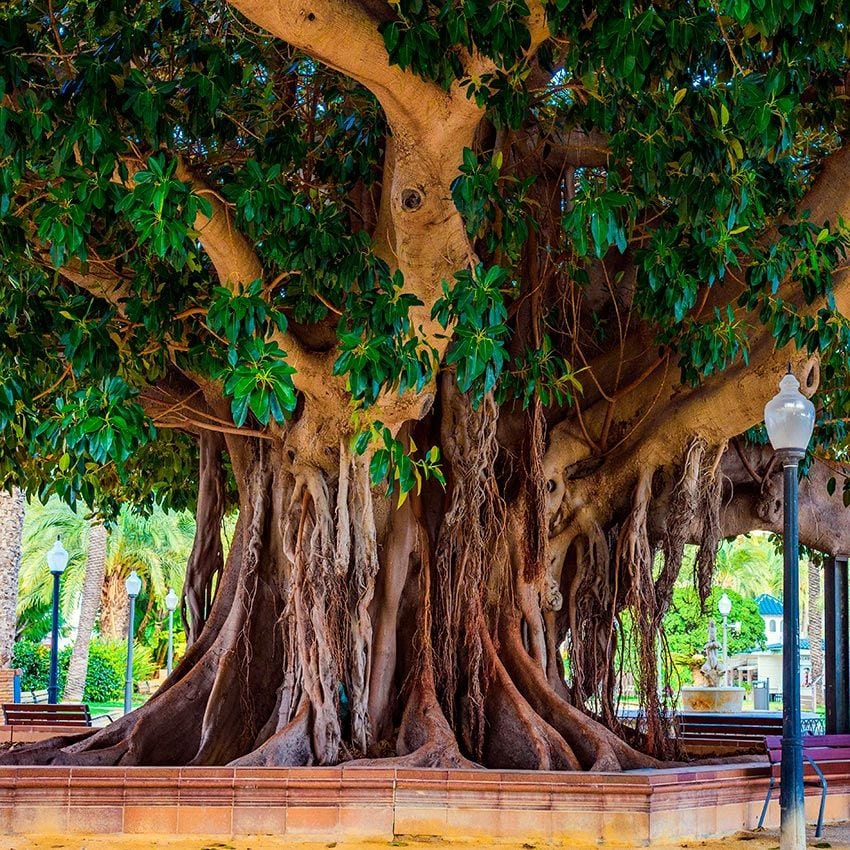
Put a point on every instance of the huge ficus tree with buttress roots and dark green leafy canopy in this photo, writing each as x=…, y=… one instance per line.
x=472, y=307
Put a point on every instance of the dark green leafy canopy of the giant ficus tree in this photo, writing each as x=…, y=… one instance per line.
x=115, y=143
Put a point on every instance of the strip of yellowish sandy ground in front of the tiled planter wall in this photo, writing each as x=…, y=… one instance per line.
x=836, y=837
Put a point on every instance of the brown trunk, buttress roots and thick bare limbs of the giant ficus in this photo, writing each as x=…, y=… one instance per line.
x=347, y=627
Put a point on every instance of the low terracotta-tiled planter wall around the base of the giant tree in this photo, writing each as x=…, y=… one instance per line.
x=385, y=803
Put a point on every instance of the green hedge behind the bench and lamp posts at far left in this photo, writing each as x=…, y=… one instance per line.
x=105, y=676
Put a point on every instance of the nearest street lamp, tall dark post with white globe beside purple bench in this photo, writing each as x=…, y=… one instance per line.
x=790, y=419
